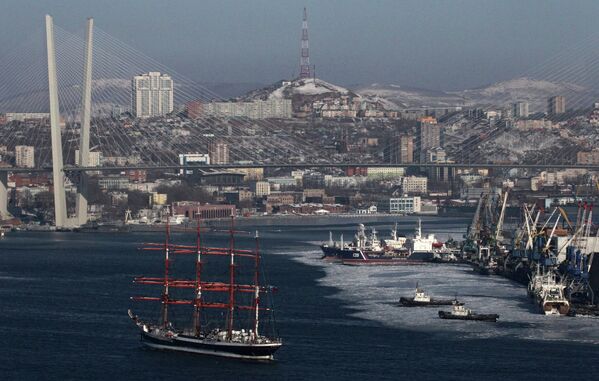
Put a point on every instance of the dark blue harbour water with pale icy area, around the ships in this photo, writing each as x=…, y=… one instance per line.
x=64, y=300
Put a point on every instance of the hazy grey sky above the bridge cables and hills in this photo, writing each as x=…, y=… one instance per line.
x=442, y=44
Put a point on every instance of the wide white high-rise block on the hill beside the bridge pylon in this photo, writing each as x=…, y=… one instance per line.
x=151, y=95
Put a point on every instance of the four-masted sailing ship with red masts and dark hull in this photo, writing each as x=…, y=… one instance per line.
x=224, y=333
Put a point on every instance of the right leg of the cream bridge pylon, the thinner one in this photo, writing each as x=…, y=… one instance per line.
x=82, y=191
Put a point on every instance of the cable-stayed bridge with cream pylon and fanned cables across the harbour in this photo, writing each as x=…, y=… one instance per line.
x=83, y=82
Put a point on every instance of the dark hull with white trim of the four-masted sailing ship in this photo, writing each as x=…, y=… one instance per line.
x=192, y=344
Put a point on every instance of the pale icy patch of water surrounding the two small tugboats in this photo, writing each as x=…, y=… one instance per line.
x=375, y=291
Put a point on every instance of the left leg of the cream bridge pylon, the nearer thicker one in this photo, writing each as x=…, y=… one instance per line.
x=60, y=203
